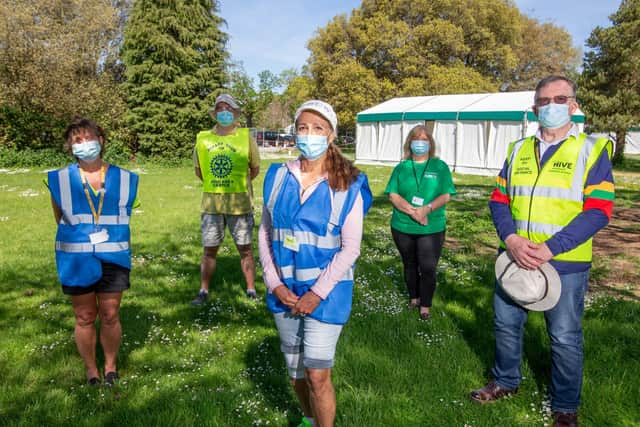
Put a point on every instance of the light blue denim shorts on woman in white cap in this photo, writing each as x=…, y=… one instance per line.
x=306, y=342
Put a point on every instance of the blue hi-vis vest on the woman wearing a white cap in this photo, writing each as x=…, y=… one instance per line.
x=316, y=225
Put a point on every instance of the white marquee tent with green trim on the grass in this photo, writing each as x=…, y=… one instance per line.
x=472, y=131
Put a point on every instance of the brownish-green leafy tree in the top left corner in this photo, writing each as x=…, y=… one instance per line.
x=50, y=57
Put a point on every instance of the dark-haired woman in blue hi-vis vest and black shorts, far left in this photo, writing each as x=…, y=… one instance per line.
x=92, y=203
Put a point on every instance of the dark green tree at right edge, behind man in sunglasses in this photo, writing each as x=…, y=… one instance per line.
x=610, y=83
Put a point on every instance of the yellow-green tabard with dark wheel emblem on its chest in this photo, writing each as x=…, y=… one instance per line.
x=224, y=161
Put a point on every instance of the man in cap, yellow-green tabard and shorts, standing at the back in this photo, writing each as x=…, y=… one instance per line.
x=226, y=159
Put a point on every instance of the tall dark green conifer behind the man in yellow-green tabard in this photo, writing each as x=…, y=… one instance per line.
x=174, y=52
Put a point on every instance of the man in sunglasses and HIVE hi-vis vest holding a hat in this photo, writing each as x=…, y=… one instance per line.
x=554, y=192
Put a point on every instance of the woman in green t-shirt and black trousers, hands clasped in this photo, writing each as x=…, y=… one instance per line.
x=419, y=188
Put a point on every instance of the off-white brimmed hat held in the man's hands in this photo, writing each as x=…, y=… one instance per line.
x=537, y=290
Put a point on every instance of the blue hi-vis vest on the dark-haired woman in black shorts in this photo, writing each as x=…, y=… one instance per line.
x=77, y=259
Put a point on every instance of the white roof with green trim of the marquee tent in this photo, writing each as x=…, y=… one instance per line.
x=506, y=106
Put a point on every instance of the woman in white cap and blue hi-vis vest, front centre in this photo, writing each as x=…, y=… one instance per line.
x=309, y=240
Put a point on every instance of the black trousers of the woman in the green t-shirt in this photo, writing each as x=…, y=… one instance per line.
x=420, y=254
